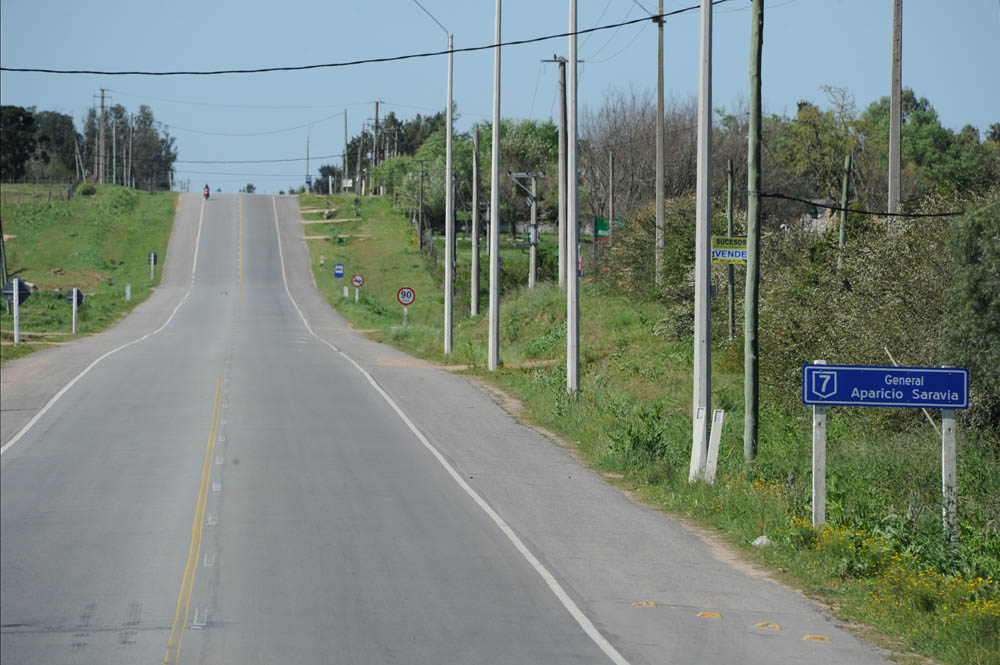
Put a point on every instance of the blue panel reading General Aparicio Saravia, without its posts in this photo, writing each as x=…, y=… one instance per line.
x=859, y=385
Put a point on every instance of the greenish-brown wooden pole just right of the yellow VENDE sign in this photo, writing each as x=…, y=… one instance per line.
x=751, y=363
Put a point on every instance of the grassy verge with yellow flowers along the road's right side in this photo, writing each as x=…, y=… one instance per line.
x=883, y=569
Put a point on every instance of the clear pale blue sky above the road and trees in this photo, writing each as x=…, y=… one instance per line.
x=951, y=56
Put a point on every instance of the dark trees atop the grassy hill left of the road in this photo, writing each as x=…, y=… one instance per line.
x=138, y=151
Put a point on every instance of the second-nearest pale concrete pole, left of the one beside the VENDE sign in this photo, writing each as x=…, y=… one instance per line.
x=572, y=223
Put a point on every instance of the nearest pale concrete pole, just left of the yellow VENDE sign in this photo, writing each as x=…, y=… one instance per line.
x=703, y=232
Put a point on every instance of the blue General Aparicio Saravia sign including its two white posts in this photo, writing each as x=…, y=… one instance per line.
x=945, y=388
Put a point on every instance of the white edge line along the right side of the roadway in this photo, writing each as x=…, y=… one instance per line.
x=585, y=623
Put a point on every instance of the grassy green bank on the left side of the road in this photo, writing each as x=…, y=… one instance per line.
x=97, y=243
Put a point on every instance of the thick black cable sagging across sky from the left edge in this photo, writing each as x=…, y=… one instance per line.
x=351, y=63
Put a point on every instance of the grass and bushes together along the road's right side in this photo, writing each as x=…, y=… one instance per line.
x=882, y=561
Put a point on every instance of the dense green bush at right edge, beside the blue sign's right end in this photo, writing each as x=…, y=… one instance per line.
x=972, y=333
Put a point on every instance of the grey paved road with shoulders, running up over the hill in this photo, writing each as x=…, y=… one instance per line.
x=255, y=483
